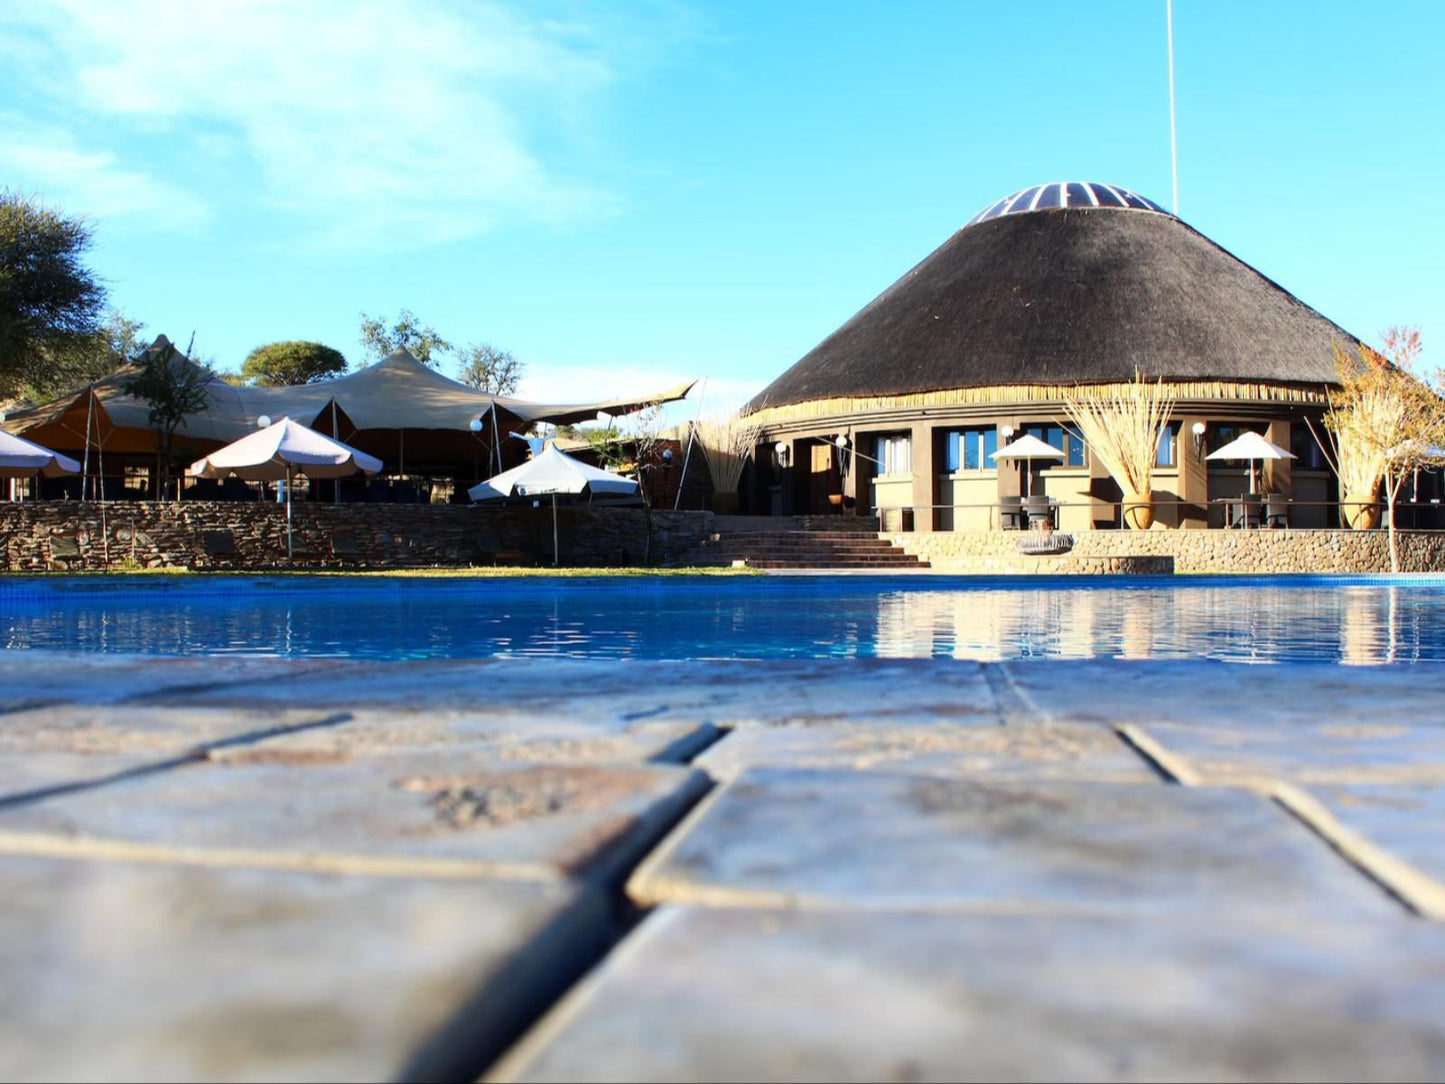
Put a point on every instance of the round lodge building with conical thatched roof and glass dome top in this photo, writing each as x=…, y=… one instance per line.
x=1057, y=287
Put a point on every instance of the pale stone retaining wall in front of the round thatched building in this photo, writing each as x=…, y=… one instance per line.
x=1191, y=551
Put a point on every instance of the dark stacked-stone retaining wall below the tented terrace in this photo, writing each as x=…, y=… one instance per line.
x=47, y=535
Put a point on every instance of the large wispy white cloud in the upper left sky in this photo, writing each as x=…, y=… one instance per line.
x=392, y=124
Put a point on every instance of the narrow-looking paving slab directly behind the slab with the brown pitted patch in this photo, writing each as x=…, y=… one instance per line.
x=504, y=732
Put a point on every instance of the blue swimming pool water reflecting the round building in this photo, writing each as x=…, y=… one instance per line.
x=1243, y=619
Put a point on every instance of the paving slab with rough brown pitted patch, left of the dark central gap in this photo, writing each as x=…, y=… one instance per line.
x=478, y=814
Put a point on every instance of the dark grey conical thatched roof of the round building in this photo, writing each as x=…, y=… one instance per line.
x=1063, y=297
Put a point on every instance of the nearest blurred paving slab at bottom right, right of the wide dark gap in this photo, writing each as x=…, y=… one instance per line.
x=728, y=995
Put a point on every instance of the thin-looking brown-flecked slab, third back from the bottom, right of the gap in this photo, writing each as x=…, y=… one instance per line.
x=1032, y=752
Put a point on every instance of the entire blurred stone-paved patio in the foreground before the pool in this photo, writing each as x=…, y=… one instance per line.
x=907, y=871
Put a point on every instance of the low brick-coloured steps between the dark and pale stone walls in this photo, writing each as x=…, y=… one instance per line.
x=850, y=549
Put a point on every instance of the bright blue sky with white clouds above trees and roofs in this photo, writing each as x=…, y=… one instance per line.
x=632, y=194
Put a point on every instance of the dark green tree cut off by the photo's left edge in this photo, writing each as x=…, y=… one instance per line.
x=50, y=301
